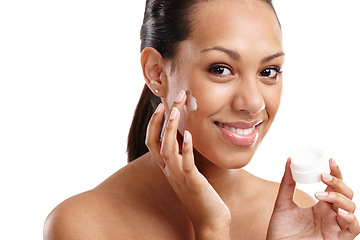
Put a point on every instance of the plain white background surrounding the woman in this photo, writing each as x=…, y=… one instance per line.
x=70, y=79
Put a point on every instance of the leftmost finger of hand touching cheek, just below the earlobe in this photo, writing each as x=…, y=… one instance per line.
x=152, y=140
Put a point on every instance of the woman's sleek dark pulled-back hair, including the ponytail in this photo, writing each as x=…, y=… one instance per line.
x=166, y=23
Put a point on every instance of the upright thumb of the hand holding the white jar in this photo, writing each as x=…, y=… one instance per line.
x=285, y=197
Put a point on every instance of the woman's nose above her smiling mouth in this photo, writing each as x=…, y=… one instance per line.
x=248, y=97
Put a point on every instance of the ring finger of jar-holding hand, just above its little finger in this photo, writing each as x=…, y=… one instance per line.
x=338, y=200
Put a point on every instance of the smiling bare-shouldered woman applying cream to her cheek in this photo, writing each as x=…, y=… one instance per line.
x=215, y=66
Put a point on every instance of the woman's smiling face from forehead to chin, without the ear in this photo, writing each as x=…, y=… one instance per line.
x=231, y=63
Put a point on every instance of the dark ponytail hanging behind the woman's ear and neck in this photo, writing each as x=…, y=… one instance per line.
x=136, y=140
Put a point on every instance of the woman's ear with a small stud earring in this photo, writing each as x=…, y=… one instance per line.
x=153, y=69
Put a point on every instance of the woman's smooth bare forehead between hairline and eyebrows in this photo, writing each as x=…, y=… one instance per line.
x=241, y=25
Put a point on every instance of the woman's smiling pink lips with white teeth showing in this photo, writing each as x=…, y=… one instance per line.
x=240, y=133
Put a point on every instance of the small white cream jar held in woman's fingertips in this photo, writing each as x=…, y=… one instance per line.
x=308, y=164
